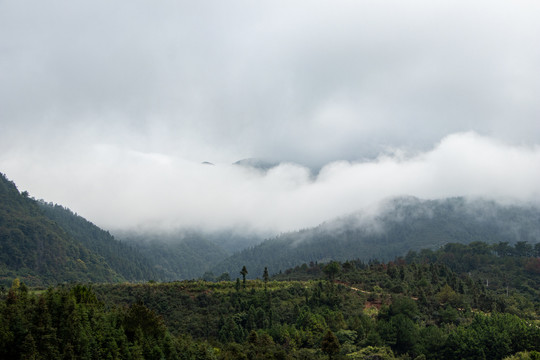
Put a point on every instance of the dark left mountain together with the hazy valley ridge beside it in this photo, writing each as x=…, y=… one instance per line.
x=45, y=244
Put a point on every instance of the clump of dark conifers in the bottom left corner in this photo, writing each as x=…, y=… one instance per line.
x=71, y=323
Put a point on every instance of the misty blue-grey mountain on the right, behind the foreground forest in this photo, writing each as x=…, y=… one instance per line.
x=400, y=225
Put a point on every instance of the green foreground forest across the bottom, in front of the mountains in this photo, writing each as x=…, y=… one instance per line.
x=445, y=304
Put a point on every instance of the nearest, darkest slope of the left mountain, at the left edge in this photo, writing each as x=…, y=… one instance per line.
x=39, y=251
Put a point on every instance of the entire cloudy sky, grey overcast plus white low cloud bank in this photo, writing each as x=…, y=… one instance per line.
x=109, y=108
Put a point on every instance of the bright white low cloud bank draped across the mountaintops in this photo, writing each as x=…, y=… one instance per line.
x=120, y=188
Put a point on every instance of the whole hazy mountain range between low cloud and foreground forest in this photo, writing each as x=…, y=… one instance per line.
x=45, y=243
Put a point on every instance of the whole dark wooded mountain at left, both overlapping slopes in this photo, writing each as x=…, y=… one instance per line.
x=45, y=244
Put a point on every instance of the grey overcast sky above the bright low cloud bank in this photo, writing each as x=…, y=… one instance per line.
x=264, y=79
